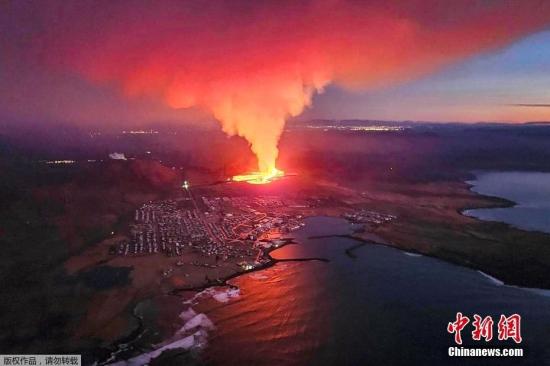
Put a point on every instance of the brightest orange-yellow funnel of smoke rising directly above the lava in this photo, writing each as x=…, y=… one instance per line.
x=254, y=107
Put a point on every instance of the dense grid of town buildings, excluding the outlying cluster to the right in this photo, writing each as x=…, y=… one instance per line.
x=225, y=228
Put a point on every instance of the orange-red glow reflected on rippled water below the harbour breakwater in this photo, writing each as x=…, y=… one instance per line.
x=282, y=317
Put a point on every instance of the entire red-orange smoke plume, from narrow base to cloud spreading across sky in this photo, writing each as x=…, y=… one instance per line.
x=253, y=64
